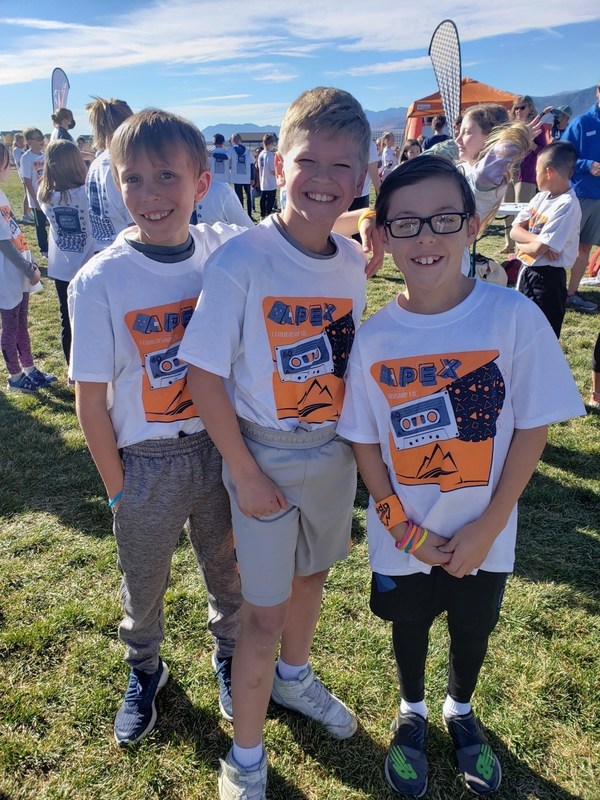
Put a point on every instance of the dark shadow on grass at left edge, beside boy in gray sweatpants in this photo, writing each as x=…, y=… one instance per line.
x=40, y=471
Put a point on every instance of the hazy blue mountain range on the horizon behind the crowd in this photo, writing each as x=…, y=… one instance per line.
x=394, y=118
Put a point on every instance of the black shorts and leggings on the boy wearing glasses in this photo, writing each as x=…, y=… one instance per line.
x=473, y=607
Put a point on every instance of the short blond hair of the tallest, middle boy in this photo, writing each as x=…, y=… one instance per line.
x=326, y=109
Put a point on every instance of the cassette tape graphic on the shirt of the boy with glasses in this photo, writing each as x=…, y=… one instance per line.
x=420, y=422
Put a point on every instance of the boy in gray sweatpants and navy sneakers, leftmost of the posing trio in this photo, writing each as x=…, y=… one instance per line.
x=129, y=307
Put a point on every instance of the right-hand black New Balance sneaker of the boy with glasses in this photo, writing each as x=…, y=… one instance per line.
x=477, y=762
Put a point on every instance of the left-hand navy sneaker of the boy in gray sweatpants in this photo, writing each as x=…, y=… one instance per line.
x=137, y=715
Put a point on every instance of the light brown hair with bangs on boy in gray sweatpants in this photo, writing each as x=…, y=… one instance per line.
x=156, y=132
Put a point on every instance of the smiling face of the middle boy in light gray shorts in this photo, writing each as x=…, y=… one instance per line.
x=322, y=175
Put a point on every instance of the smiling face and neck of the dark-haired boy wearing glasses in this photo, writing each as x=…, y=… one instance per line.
x=431, y=262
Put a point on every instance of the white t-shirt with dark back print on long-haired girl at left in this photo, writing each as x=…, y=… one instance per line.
x=71, y=242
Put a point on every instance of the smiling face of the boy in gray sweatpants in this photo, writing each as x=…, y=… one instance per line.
x=160, y=196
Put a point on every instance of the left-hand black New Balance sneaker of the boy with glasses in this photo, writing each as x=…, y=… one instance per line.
x=406, y=763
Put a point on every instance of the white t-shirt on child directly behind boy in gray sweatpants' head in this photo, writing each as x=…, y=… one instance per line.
x=108, y=213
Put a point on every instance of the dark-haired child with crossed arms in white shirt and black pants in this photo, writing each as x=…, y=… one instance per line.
x=547, y=233
